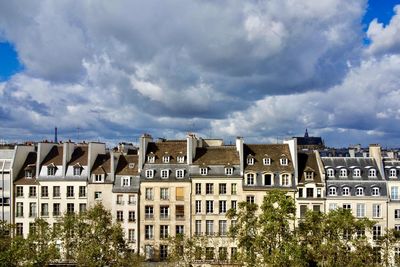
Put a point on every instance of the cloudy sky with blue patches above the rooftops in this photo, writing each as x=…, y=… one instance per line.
x=264, y=70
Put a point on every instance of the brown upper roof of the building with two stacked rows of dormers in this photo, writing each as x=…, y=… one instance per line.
x=172, y=148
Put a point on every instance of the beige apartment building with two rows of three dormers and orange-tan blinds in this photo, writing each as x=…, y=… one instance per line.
x=165, y=191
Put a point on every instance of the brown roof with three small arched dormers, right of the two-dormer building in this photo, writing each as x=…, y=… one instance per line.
x=273, y=151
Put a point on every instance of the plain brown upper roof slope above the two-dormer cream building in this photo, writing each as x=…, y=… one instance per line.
x=217, y=155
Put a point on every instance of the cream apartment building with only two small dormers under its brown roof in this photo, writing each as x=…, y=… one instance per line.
x=216, y=175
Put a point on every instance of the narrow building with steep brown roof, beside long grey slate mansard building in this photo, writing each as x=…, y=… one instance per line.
x=311, y=184
